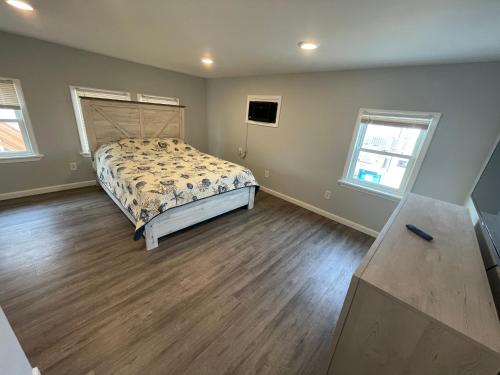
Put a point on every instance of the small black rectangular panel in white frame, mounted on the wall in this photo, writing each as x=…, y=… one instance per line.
x=263, y=110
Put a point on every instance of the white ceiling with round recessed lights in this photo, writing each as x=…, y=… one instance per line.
x=247, y=37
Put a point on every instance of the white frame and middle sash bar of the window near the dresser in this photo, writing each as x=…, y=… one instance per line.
x=414, y=161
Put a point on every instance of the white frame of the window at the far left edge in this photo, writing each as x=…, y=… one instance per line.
x=32, y=152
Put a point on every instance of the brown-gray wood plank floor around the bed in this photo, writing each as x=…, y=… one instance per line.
x=250, y=292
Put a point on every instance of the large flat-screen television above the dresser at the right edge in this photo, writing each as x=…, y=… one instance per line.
x=486, y=198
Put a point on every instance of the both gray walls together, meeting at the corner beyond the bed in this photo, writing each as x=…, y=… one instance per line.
x=306, y=154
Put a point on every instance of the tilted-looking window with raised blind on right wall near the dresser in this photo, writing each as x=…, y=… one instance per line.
x=387, y=150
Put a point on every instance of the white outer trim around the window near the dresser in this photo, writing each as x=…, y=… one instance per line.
x=417, y=158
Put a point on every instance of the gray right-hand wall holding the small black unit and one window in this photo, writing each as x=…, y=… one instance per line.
x=306, y=154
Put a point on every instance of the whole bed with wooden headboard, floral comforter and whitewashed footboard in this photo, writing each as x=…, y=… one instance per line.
x=161, y=183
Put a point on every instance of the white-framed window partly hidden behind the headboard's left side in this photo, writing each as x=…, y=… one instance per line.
x=76, y=93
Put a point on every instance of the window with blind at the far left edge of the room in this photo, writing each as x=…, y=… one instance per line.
x=17, y=141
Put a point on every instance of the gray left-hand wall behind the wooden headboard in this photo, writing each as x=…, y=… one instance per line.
x=46, y=71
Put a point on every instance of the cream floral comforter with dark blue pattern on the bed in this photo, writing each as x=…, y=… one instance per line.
x=151, y=175
